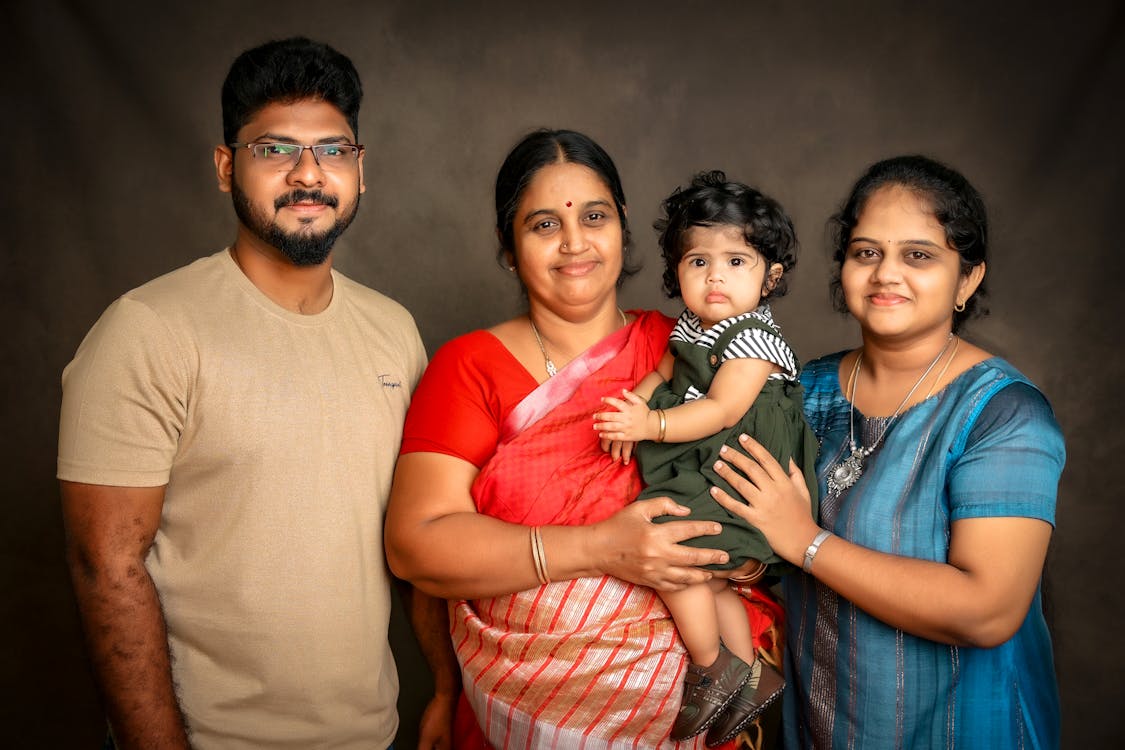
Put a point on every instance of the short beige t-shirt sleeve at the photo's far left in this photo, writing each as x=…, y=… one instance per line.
x=125, y=401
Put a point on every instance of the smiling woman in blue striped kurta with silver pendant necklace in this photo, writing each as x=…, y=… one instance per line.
x=919, y=622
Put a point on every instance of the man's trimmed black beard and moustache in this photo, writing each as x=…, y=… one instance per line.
x=304, y=247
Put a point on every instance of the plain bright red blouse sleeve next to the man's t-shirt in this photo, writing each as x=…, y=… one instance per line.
x=455, y=410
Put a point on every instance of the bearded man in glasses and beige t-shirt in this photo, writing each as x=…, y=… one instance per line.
x=228, y=440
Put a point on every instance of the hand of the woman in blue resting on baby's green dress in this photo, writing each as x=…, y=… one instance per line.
x=775, y=501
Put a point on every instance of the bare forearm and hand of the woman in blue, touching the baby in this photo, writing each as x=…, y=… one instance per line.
x=979, y=597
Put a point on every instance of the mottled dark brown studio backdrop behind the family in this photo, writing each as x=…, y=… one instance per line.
x=111, y=113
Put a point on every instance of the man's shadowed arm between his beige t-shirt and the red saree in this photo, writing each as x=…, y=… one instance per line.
x=430, y=621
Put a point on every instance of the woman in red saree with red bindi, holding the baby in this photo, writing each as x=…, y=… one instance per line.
x=506, y=503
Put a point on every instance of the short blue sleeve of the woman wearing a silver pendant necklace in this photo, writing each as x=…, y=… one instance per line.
x=1012, y=462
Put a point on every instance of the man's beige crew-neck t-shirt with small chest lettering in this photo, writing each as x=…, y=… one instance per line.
x=276, y=435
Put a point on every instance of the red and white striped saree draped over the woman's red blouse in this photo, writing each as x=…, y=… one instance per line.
x=592, y=663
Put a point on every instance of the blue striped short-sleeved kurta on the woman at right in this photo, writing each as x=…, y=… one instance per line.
x=987, y=446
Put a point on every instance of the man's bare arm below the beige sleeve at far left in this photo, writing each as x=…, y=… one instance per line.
x=110, y=531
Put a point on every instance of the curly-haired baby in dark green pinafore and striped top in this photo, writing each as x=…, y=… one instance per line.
x=727, y=372
